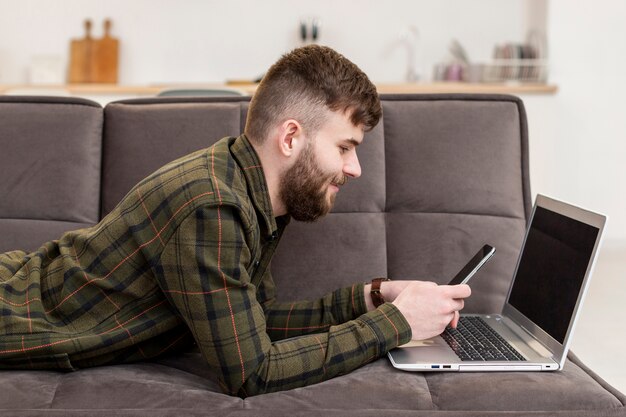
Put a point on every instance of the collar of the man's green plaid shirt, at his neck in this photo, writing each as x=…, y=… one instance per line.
x=250, y=165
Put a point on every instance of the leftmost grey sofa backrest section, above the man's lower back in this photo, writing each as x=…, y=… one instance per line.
x=50, y=155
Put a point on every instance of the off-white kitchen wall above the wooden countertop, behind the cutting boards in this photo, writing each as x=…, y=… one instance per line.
x=210, y=40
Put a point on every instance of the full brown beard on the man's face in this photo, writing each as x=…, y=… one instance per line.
x=304, y=186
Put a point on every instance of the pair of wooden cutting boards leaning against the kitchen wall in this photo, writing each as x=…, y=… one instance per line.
x=94, y=60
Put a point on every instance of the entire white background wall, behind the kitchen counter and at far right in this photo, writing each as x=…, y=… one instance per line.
x=578, y=137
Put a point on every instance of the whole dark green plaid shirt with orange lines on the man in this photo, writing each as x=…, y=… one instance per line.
x=184, y=259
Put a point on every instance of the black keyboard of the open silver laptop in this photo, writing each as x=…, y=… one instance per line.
x=475, y=340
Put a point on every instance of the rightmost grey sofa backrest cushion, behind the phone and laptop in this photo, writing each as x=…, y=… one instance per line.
x=457, y=178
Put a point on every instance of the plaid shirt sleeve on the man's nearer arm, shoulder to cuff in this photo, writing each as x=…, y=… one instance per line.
x=202, y=272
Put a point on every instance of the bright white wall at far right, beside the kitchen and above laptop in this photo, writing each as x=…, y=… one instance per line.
x=578, y=137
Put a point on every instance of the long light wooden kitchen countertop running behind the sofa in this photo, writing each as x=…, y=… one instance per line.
x=248, y=88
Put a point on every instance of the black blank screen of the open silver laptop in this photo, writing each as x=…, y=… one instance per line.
x=552, y=269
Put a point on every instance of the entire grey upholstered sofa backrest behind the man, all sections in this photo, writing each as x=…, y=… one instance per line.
x=442, y=175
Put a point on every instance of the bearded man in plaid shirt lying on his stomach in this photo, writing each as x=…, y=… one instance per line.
x=183, y=259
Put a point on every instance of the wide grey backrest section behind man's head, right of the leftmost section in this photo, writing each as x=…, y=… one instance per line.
x=442, y=175
